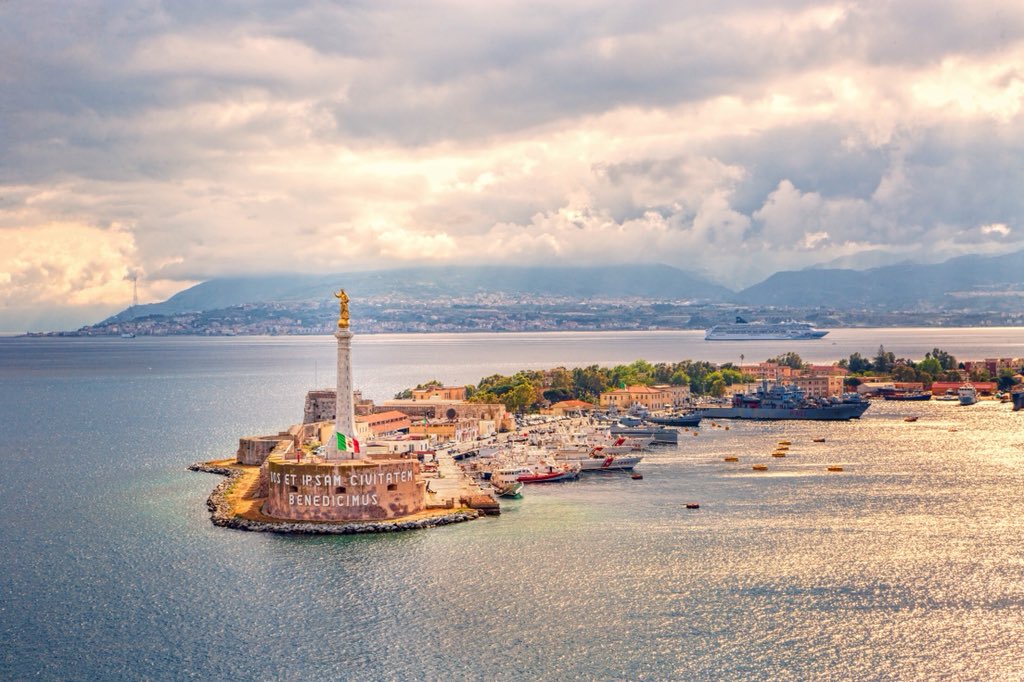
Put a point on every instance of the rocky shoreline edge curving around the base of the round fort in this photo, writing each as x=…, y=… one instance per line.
x=222, y=515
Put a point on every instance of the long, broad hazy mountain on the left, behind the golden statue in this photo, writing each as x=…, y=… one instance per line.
x=430, y=284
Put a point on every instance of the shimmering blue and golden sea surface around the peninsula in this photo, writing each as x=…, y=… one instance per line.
x=910, y=565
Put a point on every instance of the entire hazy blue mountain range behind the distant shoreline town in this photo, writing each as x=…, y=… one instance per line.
x=960, y=283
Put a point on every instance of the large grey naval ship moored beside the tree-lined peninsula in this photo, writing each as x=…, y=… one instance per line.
x=787, y=402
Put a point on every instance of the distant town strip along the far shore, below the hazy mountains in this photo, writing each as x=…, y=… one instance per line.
x=507, y=313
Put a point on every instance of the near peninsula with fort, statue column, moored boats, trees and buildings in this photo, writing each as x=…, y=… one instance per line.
x=443, y=454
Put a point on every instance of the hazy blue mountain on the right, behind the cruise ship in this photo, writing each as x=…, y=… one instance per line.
x=955, y=284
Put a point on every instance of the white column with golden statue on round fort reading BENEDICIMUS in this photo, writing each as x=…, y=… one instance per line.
x=338, y=482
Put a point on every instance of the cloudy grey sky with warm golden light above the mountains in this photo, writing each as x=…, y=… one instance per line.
x=172, y=143
